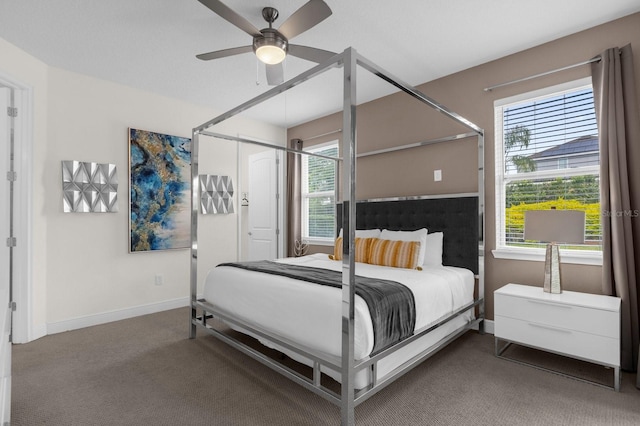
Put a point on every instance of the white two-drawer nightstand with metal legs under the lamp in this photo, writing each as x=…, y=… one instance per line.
x=580, y=325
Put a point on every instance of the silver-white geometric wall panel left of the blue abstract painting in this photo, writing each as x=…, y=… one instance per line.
x=89, y=187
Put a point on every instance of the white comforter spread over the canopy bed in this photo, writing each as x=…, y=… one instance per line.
x=311, y=314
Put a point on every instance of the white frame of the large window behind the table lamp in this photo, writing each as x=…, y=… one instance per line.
x=502, y=251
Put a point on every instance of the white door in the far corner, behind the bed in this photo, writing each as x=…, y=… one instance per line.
x=265, y=206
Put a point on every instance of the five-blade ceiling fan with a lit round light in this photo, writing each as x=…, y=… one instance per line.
x=272, y=45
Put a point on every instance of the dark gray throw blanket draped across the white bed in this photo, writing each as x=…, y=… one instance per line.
x=391, y=304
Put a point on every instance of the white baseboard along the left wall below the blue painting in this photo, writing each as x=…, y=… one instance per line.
x=105, y=317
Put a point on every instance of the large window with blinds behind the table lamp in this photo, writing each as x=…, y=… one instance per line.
x=547, y=156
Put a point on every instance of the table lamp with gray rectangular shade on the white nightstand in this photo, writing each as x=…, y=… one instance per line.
x=552, y=227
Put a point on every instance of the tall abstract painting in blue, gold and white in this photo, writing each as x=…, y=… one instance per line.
x=159, y=191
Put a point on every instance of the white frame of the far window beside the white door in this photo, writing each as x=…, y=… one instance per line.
x=305, y=195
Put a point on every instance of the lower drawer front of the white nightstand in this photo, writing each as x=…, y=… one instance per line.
x=578, y=344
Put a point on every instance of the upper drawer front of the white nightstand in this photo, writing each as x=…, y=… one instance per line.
x=593, y=321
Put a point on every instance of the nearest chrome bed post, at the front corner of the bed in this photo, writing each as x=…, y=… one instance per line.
x=349, y=226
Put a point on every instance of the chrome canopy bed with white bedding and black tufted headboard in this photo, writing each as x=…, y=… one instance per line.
x=330, y=327
